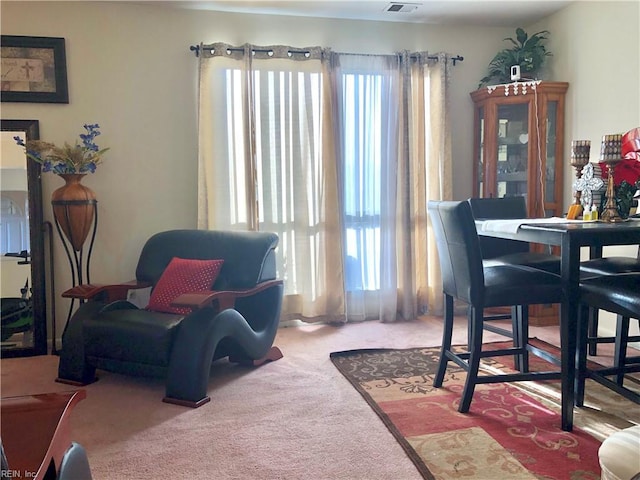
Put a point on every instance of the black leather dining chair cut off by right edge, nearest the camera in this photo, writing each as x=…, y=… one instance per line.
x=619, y=294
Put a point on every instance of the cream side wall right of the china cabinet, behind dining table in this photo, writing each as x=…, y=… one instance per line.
x=596, y=49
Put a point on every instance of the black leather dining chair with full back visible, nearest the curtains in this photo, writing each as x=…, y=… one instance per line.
x=466, y=279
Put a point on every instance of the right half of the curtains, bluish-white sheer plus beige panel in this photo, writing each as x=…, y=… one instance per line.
x=394, y=155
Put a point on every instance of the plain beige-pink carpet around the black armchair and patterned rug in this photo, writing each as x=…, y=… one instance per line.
x=297, y=418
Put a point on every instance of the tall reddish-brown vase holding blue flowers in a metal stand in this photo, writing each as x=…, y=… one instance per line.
x=74, y=208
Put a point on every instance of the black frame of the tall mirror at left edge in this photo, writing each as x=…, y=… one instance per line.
x=31, y=129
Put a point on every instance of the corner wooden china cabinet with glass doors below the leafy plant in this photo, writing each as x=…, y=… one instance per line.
x=518, y=150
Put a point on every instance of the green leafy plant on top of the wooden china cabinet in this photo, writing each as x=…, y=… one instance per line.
x=527, y=51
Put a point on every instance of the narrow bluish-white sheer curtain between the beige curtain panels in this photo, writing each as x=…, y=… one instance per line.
x=368, y=89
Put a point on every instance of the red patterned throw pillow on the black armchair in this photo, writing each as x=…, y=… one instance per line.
x=182, y=276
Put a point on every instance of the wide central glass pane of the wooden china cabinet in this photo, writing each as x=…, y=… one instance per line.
x=513, y=144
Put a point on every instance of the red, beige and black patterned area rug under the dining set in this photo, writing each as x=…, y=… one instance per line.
x=512, y=430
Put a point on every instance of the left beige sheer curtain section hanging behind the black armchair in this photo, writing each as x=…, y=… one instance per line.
x=267, y=162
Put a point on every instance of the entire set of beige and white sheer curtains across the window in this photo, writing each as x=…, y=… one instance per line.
x=338, y=154
